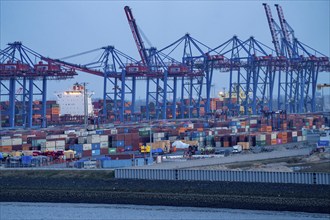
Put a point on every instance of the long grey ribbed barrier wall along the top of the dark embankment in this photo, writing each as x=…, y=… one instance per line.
x=224, y=175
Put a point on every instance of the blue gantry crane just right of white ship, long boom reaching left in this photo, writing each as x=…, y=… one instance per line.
x=119, y=72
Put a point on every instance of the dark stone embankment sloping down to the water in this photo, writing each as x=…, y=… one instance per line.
x=101, y=187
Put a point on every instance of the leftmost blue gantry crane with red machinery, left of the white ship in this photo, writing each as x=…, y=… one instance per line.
x=18, y=68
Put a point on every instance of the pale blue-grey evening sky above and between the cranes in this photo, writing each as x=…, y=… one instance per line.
x=61, y=28
